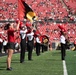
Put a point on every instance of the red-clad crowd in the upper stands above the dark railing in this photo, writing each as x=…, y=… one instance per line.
x=51, y=9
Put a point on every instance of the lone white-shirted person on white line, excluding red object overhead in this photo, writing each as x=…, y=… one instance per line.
x=63, y=47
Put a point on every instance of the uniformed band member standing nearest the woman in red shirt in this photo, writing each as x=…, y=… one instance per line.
x=23, y=43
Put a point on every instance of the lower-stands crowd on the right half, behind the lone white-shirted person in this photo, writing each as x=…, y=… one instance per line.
x=52, y=31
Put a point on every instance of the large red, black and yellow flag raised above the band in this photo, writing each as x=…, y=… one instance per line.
x=25, y=11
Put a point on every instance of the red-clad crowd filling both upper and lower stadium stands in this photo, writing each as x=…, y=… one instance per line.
x=52, y=9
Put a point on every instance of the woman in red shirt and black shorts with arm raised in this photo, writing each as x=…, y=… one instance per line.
x=10, y=45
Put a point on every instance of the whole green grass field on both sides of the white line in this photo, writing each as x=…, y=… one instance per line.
x=48, y=63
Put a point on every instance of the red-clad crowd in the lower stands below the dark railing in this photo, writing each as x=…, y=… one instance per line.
x=51, y=30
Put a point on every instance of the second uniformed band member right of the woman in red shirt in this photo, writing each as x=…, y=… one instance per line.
x=30, y=43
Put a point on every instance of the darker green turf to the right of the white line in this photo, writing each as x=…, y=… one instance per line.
x=71, y=62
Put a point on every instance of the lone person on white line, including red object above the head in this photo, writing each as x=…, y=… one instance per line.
x=63, y=41
